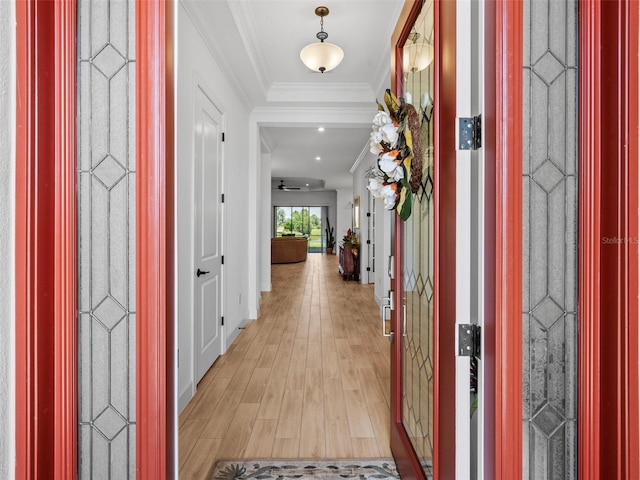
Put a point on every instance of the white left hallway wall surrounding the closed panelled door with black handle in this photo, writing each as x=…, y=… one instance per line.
x=197, y=66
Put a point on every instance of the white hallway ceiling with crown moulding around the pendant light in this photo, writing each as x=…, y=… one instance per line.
x=258, y=43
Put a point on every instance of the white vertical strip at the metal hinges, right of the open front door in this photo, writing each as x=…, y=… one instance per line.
x=469, y=237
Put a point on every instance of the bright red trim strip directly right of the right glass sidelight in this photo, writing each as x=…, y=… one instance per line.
x=589, y=252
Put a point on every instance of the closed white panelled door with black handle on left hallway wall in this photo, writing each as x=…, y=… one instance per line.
x=208, y=305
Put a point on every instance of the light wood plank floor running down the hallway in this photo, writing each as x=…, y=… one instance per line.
x=308, y=379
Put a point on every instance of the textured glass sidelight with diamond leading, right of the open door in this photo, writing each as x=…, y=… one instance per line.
x=550, y=240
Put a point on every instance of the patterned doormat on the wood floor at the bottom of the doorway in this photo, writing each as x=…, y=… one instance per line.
x=304, y=469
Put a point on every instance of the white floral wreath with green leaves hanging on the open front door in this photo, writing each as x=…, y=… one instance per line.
x=396, y=140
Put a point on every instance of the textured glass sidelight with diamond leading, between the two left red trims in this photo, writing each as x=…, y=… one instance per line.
x=106, y=240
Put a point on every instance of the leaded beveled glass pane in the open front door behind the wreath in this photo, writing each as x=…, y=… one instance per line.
x=418, y=250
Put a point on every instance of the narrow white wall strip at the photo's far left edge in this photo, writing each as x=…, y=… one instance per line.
x=7, y=280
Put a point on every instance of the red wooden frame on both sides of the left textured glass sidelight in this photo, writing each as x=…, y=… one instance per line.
x=46, y=285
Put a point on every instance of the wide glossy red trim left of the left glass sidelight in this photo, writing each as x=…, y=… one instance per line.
x=46, y=370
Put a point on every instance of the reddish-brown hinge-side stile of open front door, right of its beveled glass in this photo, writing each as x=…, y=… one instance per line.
x=445, y=239
